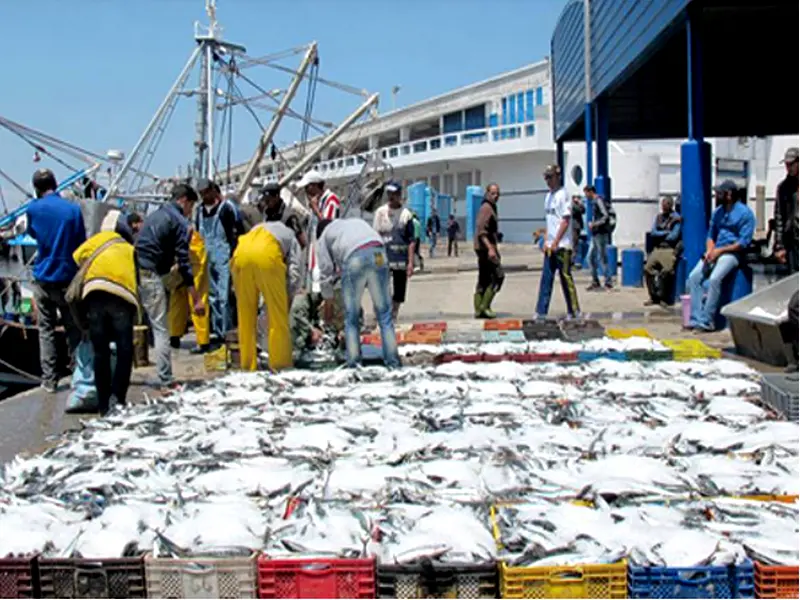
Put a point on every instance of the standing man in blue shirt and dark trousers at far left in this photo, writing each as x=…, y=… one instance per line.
x=57, y=226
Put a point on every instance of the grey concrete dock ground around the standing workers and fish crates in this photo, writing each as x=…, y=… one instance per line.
x=30, y=421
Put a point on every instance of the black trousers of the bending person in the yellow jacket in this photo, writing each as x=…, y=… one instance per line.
x=111, y=319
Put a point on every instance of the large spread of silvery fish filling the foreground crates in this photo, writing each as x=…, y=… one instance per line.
x=406, y=464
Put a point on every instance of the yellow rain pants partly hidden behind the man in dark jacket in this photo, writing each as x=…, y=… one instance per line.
x=180, y=302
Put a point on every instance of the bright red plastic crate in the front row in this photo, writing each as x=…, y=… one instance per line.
x=316, y=578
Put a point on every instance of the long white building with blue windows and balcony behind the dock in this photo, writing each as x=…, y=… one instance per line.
x=500, y=130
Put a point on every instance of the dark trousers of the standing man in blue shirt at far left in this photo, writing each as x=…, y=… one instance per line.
x=50, y=302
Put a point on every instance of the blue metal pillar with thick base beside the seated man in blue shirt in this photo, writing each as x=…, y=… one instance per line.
x=695, y=157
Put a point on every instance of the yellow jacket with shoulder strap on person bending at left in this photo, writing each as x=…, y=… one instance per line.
x=112, y=271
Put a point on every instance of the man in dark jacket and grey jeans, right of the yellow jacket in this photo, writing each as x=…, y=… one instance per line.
x=163, y=241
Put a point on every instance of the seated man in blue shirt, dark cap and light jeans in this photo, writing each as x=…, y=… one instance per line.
x=730, y=232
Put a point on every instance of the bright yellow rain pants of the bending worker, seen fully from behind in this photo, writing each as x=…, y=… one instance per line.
x=257, y=268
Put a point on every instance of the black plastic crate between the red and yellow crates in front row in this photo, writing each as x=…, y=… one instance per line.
x=434, y=580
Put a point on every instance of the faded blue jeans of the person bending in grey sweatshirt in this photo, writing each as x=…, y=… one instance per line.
x=368, y=268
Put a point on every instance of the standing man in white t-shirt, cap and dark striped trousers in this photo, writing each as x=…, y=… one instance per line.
x=557, y=246
